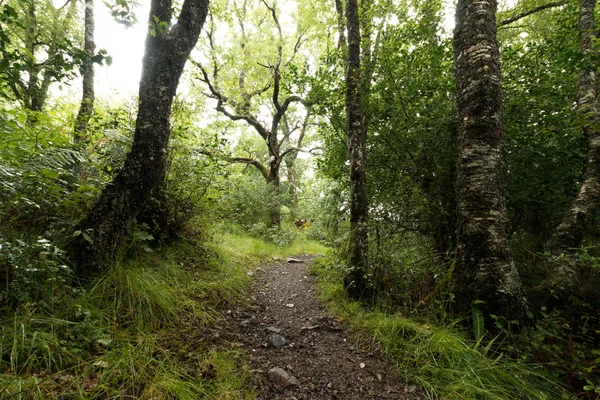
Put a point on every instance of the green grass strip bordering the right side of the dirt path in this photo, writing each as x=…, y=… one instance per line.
x=437, y=359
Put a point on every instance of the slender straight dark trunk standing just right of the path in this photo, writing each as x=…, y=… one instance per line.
x=356, y=282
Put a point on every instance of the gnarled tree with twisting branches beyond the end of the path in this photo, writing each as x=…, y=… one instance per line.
x=243, y=102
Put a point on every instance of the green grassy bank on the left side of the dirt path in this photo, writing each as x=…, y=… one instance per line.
x=140, y=330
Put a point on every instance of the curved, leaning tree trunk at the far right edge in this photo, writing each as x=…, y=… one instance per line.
x=569, y=233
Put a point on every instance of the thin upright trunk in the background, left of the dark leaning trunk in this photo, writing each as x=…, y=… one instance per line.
x=86, y=108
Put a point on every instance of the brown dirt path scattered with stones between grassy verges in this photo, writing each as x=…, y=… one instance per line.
x=302, y=352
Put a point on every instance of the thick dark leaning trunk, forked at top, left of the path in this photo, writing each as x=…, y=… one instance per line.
x=167, y=49
